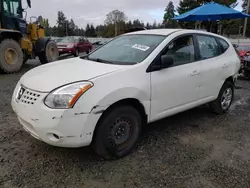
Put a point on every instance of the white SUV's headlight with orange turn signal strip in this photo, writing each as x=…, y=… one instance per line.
x=66, y=96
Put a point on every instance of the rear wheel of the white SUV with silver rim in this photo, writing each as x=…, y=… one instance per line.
x=220, y=107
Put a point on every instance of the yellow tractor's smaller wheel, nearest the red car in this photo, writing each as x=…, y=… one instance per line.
x=50, y=53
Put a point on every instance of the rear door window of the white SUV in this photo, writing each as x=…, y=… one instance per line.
x=208, y=46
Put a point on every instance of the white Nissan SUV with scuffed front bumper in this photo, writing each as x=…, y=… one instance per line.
x=104, y=98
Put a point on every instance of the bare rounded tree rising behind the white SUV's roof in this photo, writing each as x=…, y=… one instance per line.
x=115, y=17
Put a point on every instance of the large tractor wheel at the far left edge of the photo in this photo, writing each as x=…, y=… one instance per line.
x=15, y=51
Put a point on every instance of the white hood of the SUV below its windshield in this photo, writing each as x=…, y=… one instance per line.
x=47, y=77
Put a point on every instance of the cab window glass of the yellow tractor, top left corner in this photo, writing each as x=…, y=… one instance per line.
x=12, y=8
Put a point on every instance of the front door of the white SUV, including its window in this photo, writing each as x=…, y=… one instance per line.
x=177, y=87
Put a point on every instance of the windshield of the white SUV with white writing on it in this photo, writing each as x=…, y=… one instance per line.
x=127, y=49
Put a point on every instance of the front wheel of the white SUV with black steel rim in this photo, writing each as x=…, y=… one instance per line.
x=117, y=132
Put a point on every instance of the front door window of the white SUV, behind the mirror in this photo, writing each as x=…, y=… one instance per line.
x=182, y=50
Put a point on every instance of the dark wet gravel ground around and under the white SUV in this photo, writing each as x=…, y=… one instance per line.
x=193, y=149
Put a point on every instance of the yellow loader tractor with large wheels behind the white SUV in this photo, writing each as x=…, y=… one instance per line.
x=19, y=40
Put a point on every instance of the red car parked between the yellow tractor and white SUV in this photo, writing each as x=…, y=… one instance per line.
x=74, y=46
